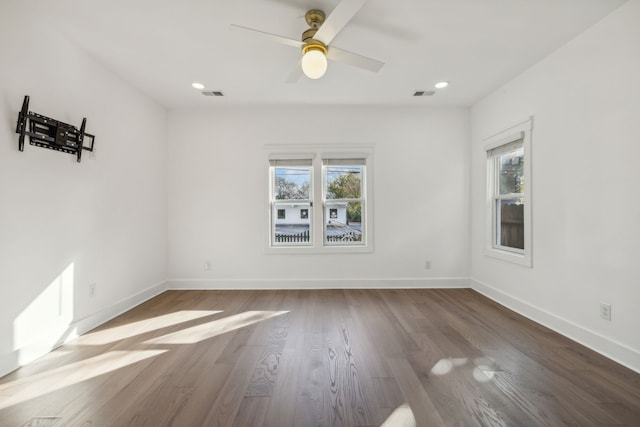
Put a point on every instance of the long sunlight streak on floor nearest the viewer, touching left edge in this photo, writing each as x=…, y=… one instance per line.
x=31, y=387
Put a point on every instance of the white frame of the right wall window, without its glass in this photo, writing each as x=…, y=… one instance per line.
x=519, y=131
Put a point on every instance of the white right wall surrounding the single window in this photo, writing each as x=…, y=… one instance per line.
x=585, y=99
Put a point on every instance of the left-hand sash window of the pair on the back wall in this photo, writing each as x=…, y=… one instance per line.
x=291, y=195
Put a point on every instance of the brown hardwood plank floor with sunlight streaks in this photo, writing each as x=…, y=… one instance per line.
x=321, y=358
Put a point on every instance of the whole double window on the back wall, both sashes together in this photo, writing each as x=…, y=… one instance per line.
x=318, y=201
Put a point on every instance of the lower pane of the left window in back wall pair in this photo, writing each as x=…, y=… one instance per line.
x=294, y=225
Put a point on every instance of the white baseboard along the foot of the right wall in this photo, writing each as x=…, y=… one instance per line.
x=612, y=349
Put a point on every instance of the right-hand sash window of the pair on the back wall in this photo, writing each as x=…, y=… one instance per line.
x=343, y=201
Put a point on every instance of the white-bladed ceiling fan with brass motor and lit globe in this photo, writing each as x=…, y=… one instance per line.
x=316, y=41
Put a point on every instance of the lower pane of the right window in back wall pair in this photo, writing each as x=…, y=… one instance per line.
x=343, y=223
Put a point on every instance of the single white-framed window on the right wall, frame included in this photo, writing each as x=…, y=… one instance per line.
x=509, y=195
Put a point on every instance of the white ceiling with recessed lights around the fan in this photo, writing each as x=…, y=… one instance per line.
x=162, y=46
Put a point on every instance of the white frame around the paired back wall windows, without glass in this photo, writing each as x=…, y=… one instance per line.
x=318, y=153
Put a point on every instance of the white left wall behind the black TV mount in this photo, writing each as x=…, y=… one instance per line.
x=65, y=225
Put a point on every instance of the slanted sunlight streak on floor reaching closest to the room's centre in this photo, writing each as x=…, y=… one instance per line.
x=214, y=328
